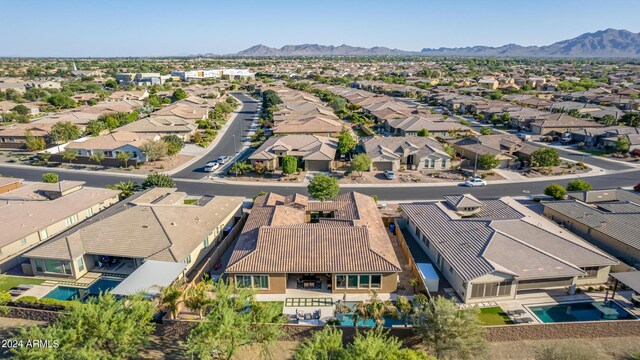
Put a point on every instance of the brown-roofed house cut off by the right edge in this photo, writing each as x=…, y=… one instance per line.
x=607, y=218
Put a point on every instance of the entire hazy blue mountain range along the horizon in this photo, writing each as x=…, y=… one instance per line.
x=605, y=43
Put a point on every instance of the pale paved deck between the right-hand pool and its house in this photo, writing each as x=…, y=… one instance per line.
x=523, y=301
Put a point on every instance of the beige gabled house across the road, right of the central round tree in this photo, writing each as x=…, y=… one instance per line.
x=412, y=153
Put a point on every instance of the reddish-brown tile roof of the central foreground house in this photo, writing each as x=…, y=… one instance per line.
x=277, y=238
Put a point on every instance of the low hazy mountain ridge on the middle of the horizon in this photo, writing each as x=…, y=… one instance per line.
x=320, y=50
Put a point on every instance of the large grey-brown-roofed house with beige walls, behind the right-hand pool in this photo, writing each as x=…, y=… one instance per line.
x=496, y=249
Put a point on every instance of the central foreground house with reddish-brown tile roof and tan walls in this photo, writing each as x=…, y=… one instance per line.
x=338, y=246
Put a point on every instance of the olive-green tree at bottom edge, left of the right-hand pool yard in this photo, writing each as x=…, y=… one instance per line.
x=449, y=332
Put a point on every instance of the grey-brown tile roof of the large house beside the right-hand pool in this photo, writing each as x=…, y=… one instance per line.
x=504, y=236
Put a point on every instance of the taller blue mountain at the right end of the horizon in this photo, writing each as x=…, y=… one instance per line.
x=604, y=43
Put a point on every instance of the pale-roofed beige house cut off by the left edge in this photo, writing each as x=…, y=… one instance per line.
x=35, y=212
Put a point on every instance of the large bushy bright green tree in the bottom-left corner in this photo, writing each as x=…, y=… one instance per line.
x=104, y=328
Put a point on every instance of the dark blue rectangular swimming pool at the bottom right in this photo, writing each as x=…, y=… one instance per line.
x=585, y=311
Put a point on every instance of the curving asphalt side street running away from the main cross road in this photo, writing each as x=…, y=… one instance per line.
x=240, y=127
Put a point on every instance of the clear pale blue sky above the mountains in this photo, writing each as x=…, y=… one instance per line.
x=79, y=28
